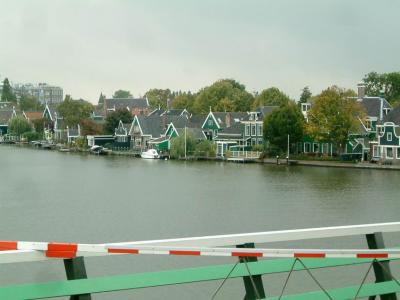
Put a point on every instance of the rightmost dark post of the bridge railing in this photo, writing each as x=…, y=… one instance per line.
x=375, y=241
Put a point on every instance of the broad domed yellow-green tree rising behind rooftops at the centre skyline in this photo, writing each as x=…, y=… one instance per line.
x=223, y=94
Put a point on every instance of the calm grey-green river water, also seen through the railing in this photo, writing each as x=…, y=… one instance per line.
x=52, y=196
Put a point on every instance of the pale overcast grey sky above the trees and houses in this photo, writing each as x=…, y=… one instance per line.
x=88, y=47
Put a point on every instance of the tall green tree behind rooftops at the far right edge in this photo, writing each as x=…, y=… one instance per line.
x=388, y=83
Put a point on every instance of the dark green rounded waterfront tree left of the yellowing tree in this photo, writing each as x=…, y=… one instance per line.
x=283, y=121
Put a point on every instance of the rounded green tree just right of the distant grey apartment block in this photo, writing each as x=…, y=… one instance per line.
x=74, y=111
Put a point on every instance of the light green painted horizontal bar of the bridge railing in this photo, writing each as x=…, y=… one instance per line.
x=191, y=275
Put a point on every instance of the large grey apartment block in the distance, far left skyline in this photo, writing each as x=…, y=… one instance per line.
x=44, y=92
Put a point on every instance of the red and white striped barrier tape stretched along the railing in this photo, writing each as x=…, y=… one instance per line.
x=71, y=250
